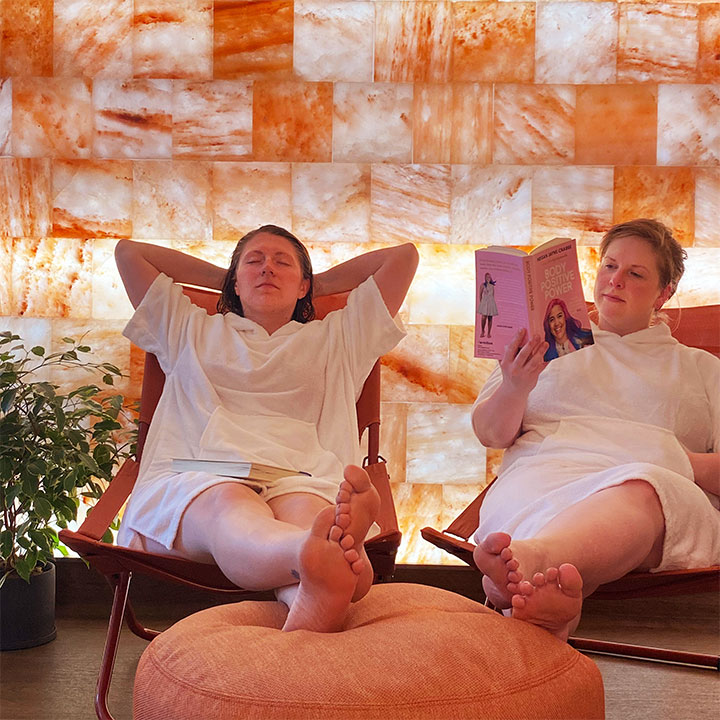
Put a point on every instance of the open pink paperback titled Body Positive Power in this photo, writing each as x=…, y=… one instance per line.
x=540, y=291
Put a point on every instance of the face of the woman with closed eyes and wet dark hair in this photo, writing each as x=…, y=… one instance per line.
x=268, y=279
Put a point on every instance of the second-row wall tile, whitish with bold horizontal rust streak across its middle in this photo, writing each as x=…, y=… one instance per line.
x=133, y=119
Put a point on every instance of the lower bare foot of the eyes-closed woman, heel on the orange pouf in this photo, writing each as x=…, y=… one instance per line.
x=328, y=577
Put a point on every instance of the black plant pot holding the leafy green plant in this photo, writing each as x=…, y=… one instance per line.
x=27, y=611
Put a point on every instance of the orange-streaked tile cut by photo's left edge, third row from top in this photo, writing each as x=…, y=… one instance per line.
x=25, y=189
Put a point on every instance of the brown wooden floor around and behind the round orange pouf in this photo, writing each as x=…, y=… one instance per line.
x=57, y=681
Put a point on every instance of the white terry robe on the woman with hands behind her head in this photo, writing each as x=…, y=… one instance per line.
x=234, y=392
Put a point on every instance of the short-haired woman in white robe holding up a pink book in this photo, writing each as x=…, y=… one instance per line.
x=612, y=458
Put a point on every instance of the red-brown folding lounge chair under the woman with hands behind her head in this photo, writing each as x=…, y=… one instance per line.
x=118, y=563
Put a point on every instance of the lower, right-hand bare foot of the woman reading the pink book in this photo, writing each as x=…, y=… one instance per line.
x=552, y=600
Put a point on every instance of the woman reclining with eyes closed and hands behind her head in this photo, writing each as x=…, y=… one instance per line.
x=263, y=382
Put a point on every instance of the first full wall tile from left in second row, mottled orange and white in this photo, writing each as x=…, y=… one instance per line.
x=52, y=117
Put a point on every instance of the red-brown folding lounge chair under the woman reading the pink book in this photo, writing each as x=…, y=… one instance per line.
x=697, y=327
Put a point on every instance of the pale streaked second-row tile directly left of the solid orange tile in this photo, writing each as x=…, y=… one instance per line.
x=212, y=119
